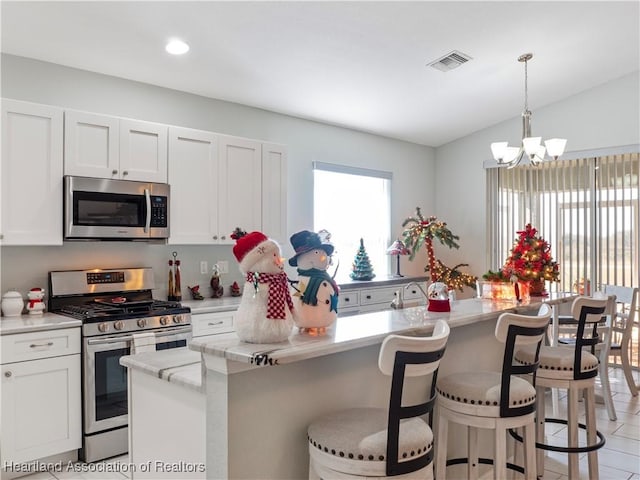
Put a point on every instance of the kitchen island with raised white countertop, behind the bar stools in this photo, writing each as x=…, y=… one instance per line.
x=261, y=398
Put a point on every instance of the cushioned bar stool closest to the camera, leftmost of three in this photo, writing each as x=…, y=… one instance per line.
x=383, y=442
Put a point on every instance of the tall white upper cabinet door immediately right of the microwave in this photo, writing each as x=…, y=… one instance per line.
x=193, y=168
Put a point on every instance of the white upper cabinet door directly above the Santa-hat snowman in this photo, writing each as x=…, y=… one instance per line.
x=239, y=186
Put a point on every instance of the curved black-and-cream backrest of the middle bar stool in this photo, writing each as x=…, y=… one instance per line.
x=515, y=330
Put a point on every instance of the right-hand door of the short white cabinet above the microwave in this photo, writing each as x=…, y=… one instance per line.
x=143, y=151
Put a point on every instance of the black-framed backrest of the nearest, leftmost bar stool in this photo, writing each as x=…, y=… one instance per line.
x=402, y=356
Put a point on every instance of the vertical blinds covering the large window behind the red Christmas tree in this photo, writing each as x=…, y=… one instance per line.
x=586, y=208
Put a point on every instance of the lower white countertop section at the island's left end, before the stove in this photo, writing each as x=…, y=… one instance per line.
x=176, y=365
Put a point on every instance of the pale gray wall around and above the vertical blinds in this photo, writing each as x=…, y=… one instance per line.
x=605, y=116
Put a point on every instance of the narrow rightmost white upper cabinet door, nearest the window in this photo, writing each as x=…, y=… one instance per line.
x=274, y=192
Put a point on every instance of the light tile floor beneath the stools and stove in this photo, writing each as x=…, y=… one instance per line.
x=619, y=459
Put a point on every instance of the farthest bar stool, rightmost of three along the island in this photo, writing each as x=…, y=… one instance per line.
x=574, y=369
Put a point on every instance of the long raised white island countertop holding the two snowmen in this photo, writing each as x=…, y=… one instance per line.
x=361, y=330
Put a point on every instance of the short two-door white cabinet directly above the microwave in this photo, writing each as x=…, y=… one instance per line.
x=102, y=146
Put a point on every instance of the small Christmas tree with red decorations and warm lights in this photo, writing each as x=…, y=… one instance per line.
x=530, y=258
